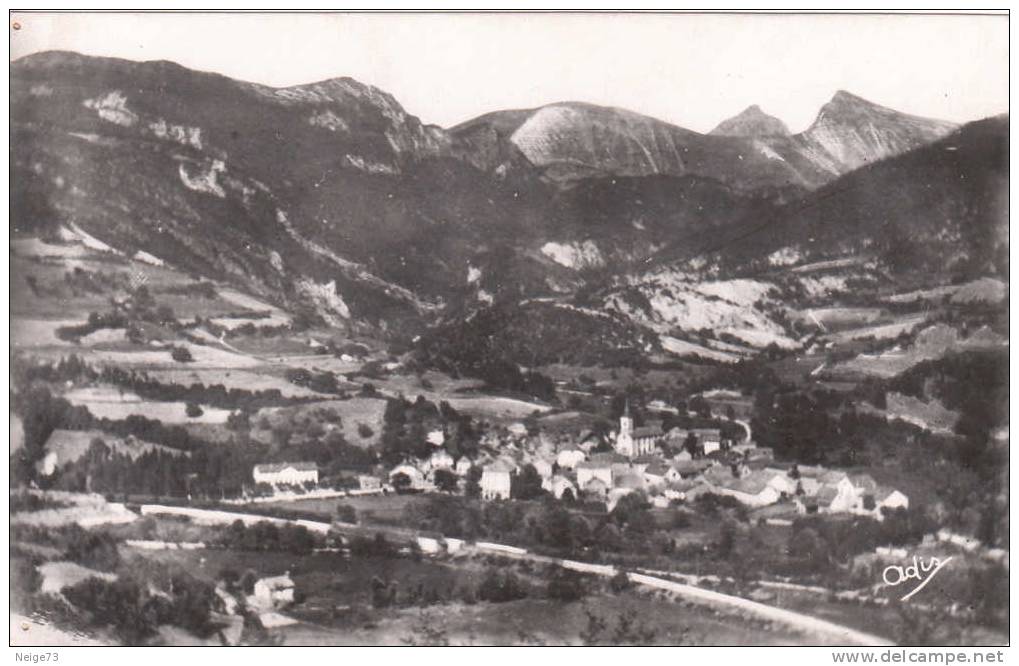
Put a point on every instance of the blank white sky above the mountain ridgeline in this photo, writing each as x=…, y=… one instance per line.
x=693, y=71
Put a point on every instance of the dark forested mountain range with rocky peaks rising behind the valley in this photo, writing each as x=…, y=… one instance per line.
x=331, y=198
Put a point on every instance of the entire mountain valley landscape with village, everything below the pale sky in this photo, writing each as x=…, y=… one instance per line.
x=756, y=363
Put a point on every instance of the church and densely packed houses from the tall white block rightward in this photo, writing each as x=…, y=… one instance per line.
x=706, y=464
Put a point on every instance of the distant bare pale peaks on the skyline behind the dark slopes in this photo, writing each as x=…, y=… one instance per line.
x=753, y=152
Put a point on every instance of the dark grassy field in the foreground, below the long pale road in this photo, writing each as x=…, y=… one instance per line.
x=338, y=612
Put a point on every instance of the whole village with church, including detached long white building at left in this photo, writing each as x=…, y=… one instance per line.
x=669, y=468
